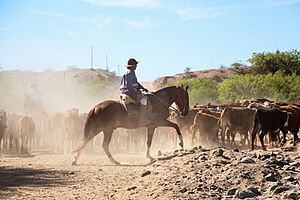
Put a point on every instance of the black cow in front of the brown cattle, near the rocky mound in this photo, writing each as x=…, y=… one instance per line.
x=268, y=120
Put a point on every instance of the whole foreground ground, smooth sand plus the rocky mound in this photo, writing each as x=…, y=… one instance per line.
x=198, y=173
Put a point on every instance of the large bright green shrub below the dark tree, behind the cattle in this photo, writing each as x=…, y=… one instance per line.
x=278, y=86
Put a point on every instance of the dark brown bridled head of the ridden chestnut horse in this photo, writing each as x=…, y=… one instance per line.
x=182, y=100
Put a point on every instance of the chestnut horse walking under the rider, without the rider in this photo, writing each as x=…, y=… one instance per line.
x=109, y=115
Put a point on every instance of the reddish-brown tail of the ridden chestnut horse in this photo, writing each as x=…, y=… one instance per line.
x=87, y=132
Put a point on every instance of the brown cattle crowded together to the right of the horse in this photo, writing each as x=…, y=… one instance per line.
x=220, y=123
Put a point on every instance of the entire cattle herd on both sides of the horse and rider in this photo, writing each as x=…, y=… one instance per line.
x=235, y=125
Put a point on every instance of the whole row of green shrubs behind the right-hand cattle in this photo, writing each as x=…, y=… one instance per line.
x=277, y=86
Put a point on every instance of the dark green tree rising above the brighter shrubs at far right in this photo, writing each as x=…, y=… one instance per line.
x=271, y=62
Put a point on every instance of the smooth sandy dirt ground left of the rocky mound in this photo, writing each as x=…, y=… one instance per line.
x=50, y=176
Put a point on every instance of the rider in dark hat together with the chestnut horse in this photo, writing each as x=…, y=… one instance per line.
x=109, y=115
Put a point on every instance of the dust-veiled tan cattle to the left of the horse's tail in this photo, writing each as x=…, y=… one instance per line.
x=20, y=133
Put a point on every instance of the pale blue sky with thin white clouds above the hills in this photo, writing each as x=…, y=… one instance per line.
x=165, y=36
